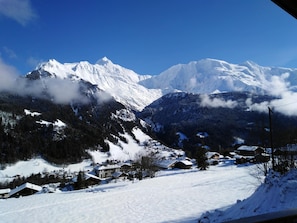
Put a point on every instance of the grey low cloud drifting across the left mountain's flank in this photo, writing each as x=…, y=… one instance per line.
x=60, y=91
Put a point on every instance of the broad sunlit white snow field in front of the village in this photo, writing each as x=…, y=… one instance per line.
x=173, y=196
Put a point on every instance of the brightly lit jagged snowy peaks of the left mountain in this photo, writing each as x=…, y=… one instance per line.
x=118, y=81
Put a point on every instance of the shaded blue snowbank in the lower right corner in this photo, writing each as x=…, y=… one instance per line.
x=278, y=193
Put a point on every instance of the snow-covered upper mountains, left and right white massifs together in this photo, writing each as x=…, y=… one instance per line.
x=204, y=76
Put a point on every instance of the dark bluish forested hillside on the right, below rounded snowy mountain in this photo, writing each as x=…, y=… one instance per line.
x=219, y=121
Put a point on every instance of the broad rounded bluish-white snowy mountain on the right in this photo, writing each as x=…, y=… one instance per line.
x=210, y=75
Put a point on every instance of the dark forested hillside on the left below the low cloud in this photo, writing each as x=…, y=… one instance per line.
x=59, y=133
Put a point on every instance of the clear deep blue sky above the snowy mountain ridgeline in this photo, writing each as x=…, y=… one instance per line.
x=147, y=36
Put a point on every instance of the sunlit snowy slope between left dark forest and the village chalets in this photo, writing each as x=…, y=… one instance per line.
x=121, y=151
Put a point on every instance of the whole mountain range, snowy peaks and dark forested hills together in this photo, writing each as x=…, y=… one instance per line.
x=99, y=103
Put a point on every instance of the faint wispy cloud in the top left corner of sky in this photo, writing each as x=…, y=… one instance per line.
x=18, y=10
